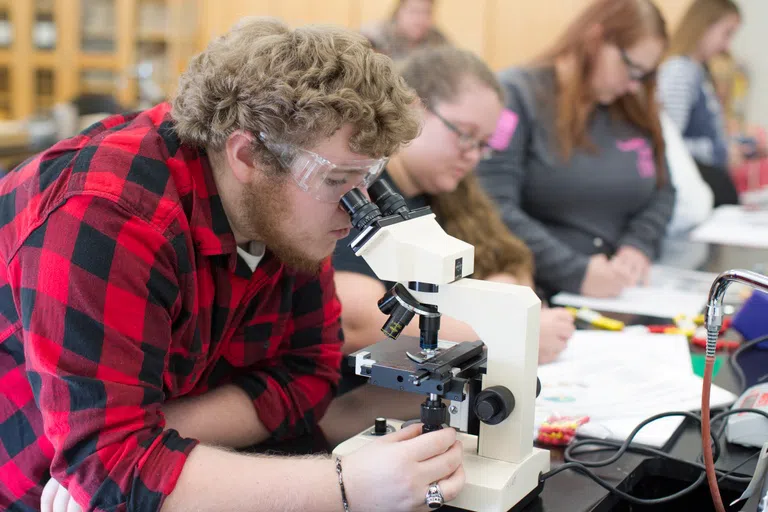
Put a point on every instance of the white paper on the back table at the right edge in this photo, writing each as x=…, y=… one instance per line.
x=733, y=225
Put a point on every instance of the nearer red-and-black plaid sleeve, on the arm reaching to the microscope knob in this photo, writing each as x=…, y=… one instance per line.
x=95, y=371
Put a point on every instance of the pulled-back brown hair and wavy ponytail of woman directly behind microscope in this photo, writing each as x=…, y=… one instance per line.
x=437, y=74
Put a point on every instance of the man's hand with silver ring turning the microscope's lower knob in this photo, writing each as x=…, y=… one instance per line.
x=407, y=462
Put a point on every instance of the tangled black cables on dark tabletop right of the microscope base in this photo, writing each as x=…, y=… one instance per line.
x=583, y=467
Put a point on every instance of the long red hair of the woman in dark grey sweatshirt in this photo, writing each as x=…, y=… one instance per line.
x=623, y=23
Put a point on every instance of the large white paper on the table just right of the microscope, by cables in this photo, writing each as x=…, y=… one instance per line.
x=618, y=380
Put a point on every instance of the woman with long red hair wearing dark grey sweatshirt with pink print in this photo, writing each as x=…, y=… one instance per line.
x=583, y=181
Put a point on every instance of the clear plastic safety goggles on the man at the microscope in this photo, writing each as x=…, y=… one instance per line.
x=321, y=178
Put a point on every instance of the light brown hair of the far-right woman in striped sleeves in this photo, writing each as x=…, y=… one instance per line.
x=701, y=15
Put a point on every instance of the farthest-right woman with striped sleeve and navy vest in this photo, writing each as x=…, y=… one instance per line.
x=686, y=89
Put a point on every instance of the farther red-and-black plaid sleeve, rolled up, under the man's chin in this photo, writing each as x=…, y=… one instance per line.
x=291, y=389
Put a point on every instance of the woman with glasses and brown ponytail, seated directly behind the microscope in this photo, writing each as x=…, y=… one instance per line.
x=462, y=104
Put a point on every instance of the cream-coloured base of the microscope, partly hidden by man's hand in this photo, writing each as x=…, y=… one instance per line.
x=491, y=485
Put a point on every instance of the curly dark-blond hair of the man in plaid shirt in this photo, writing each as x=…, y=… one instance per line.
x=297, y=86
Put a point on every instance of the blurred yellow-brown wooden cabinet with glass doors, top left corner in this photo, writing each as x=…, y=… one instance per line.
x=54, y=50
